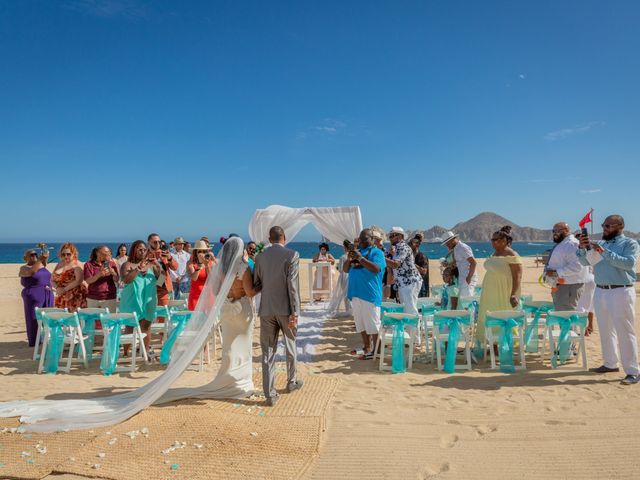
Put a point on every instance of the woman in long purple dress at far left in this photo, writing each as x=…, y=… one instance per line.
x=36, y=280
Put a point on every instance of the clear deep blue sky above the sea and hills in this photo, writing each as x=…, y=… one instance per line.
x=121, y=117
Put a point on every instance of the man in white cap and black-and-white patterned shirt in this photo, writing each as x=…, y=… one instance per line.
x=405, y=273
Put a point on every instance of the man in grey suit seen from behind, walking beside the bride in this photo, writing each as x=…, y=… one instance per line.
x=276, y=276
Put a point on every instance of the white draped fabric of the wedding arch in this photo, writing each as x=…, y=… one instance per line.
x=336, y=224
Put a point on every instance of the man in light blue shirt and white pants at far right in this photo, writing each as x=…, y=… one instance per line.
x=614, y=268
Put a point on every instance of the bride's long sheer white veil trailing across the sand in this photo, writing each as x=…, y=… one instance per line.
x=63, y=415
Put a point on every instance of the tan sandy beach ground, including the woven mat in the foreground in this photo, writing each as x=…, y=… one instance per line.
x=356, y=422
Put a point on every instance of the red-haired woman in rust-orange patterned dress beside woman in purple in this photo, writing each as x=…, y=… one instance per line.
x=68, y=280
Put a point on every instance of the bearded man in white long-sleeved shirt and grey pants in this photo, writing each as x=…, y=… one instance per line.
x=564, y=267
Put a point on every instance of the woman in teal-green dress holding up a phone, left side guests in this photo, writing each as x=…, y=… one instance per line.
x=139, y=295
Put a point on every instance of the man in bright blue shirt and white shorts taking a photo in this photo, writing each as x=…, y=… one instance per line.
x=365, y=267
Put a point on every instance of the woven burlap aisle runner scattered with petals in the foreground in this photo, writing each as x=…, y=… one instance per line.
x=194, y=439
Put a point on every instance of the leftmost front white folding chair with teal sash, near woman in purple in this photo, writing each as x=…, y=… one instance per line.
x=72, y=336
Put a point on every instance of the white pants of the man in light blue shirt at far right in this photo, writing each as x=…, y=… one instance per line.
x=615, y=312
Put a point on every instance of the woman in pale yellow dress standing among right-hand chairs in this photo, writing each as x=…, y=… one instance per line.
x=501, y=284
